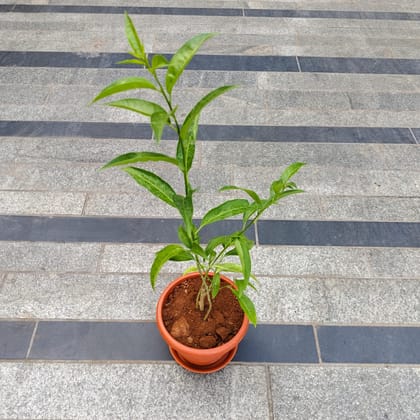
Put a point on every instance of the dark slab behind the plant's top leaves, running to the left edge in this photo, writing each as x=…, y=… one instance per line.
x=110, y=60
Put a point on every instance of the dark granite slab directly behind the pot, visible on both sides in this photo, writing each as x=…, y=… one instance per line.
x=73, y=340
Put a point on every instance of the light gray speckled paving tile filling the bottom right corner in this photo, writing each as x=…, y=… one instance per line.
x=345, y=392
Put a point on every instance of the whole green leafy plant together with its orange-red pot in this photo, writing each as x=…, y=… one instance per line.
x=203, y=314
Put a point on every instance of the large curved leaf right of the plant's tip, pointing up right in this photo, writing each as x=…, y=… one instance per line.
x=182, y=57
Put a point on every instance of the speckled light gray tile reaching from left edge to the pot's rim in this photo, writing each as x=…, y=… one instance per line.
x=79, y=296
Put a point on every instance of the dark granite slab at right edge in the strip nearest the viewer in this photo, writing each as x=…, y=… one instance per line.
x=340, y=344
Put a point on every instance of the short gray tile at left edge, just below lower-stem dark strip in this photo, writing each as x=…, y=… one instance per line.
x=43, y=256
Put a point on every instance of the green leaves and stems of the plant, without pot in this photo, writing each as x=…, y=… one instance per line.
x=228, y=253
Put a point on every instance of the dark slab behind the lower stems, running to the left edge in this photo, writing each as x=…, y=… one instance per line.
x=103, y=229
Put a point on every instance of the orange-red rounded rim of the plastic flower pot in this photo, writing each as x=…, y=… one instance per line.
x=172, y=342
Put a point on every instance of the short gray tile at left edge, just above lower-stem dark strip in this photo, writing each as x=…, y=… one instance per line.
x=28, y=202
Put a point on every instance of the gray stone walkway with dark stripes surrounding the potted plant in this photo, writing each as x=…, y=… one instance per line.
x=334, y=84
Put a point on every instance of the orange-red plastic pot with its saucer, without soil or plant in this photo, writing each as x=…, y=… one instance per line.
x=192, y=359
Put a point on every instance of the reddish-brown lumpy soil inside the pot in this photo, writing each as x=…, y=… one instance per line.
x=185, y=322
